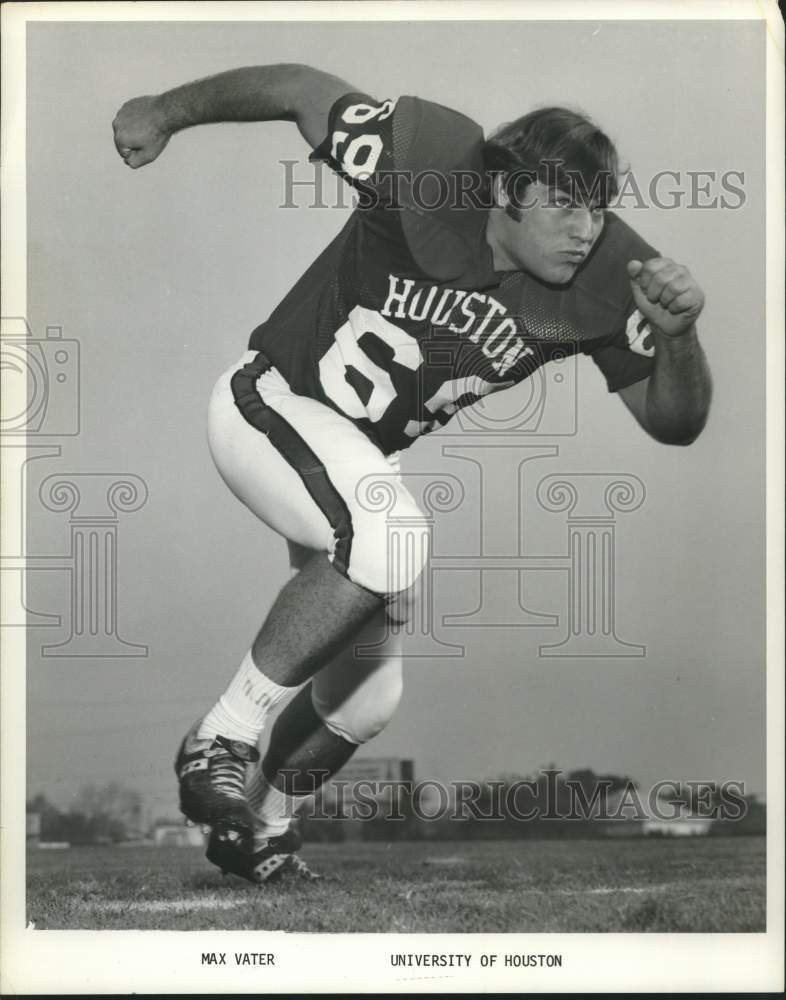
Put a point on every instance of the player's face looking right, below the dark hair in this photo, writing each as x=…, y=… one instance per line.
x=552, y=237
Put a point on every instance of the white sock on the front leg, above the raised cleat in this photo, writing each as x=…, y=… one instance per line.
x=241, y=710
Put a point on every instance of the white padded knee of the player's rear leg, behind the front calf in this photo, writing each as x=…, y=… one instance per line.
x=362, y=714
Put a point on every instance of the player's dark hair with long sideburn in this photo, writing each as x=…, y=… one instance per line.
x=558, y=147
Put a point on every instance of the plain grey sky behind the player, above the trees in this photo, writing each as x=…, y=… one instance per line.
x=162, y=273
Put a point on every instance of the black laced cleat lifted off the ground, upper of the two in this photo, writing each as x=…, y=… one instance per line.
x=212, y=776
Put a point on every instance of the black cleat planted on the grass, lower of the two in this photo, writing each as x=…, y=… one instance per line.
x=266, y=861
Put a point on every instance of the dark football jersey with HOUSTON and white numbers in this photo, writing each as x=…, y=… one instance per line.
x=402, y=319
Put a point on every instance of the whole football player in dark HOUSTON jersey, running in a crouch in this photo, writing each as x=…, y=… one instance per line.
x=467, y=264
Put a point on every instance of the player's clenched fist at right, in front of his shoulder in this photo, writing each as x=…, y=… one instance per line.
x=666, y=294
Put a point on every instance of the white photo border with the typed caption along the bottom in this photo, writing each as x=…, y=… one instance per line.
x=168, y=961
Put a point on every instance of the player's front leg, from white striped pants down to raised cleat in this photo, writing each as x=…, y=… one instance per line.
x=297, y=465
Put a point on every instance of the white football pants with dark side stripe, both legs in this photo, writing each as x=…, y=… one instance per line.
x=314, y=478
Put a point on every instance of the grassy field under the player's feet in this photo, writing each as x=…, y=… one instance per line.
x=705, y=885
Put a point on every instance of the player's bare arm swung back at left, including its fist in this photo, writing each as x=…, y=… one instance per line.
x=283, y=92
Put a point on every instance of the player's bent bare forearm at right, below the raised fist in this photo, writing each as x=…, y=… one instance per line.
x=679, y=392
